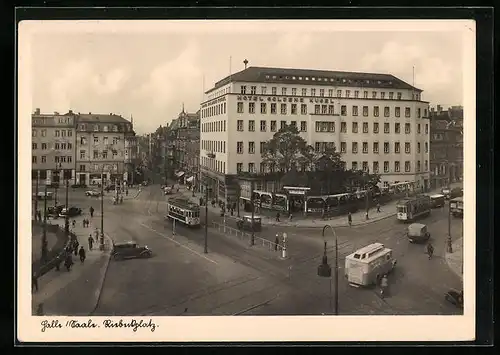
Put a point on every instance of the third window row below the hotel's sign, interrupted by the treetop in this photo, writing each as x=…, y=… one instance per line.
x=322, y=146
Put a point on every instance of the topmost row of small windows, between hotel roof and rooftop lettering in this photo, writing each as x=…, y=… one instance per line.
x=330, y=93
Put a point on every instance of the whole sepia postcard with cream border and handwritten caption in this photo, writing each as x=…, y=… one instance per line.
x=246, y=180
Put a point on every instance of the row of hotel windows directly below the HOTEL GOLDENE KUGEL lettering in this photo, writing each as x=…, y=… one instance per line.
x=327, y=110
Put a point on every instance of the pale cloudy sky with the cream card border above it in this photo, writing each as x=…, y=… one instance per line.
x=150, y=70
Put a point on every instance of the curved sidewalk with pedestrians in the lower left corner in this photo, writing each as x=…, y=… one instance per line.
x=75, y=292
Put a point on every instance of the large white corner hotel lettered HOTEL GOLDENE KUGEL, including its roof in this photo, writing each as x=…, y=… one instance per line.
x=377, y=121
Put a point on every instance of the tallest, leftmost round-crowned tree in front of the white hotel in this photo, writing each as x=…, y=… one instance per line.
x=285, y=149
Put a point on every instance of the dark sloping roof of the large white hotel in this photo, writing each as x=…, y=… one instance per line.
x=328, y=77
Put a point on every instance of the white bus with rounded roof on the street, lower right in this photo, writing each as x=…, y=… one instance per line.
x=368, y=265
